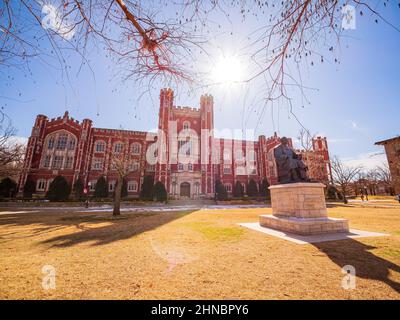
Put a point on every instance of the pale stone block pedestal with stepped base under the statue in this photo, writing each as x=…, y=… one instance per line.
x=300, y=208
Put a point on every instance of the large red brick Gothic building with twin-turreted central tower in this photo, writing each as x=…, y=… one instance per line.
x=185, y=154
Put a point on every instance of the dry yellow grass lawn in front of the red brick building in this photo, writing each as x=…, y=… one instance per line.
x=192, y=255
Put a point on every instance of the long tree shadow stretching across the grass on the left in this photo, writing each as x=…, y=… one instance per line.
x=123, y=227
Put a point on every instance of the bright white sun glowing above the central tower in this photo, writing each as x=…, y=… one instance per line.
x=228, y=69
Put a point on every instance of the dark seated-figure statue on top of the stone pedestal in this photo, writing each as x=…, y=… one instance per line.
x=289, y=164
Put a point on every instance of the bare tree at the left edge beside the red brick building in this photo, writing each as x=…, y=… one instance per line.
x=11, y=151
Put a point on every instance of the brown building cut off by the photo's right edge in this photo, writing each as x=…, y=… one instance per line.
x=392, y=148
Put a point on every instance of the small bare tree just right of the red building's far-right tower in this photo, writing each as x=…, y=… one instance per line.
x=343, y=176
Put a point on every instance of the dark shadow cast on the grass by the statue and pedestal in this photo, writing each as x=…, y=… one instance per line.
x=367, y=265
